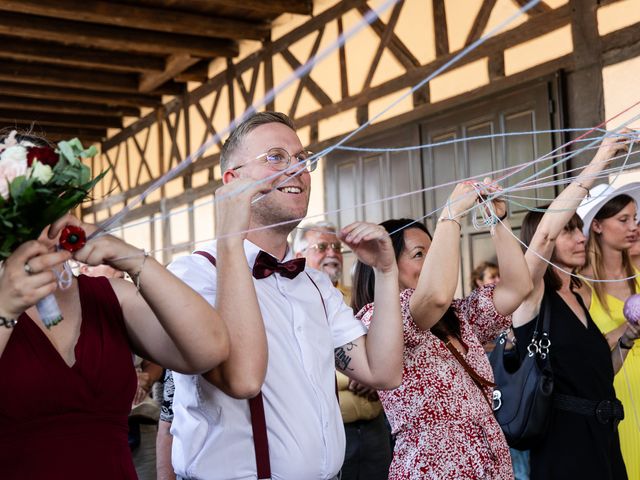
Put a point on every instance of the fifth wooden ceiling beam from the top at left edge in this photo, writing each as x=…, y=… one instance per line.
x=101, y=98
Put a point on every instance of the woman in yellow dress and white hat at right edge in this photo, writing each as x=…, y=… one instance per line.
x=610, y=224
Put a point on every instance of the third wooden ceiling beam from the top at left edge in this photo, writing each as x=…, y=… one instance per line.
x=51, y=53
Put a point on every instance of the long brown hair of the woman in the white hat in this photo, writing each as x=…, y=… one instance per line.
x=594, y=249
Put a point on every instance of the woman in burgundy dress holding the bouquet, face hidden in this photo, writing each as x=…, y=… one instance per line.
x=67, y=391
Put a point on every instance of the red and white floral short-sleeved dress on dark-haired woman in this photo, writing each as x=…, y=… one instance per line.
x=444, y=426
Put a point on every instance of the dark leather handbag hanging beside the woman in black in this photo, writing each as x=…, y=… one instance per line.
x=523, y=397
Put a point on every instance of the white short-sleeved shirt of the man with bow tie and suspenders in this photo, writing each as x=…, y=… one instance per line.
x=212, y=431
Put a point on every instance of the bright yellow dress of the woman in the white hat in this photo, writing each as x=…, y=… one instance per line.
x=628, y=428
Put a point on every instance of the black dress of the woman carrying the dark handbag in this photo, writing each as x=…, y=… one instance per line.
x=576, y=446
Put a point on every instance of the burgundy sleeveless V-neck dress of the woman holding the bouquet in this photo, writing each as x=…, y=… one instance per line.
x=61, y=422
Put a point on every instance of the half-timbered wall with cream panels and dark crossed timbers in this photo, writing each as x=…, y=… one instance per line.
x=569, y=40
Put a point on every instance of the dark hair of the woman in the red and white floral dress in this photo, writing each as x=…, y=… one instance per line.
x=364, y=279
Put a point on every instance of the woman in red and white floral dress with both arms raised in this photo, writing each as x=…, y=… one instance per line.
x=441, y=413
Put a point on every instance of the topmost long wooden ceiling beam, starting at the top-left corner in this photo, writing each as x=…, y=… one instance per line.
x=140, y=17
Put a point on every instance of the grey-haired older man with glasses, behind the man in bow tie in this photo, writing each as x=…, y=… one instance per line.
x=368, y=450
